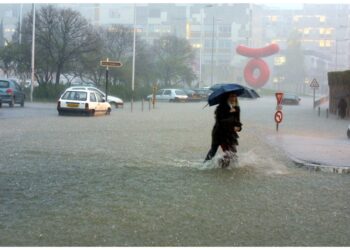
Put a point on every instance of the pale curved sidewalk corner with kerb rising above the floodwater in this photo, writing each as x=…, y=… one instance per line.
x=320, y=154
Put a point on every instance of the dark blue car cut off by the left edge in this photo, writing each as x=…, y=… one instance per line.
x=11, y=92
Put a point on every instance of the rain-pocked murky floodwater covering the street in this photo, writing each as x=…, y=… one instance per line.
x=138, y=179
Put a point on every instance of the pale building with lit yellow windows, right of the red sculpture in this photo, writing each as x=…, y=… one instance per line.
x=324, y=30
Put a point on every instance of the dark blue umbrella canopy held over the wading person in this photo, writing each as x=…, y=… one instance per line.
x=220, y=92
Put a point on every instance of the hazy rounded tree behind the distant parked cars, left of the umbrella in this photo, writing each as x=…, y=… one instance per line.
x=173, y=60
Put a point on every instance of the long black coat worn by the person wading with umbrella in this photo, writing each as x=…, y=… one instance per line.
x=225, y=121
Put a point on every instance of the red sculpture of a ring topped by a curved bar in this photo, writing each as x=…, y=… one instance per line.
x=257, y=63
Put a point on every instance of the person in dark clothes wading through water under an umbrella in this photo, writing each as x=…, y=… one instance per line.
x=224, y=133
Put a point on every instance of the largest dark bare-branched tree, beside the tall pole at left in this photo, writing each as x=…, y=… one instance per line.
x=62, y=36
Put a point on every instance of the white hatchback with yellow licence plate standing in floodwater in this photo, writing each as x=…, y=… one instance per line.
x=82, y=101
